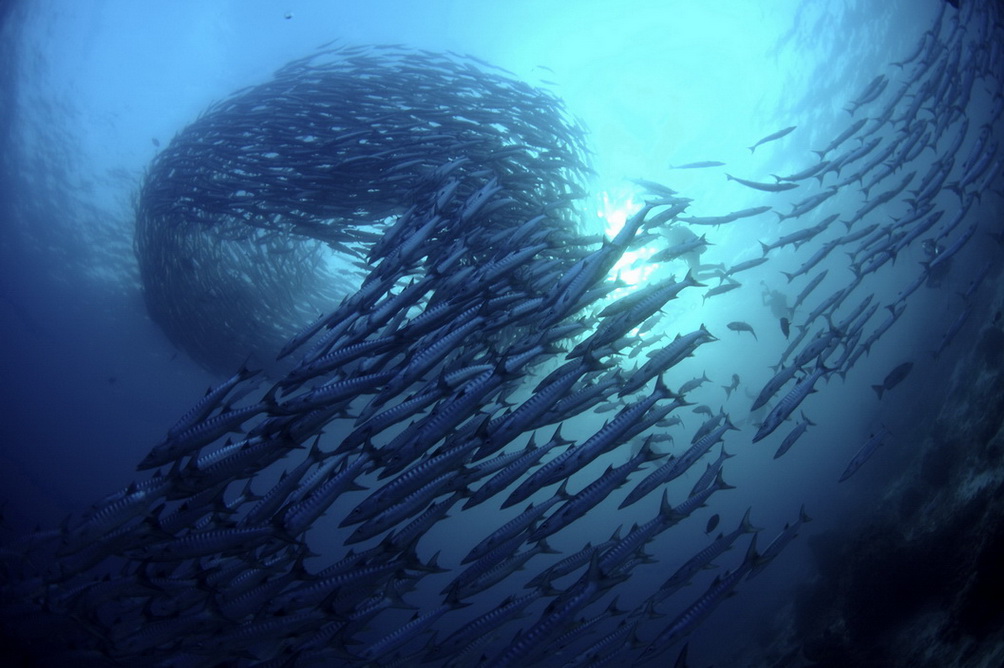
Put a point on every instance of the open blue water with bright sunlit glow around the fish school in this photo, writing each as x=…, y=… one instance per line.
x=91, y=94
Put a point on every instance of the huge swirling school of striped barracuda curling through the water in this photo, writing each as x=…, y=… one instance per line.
x=295, y=522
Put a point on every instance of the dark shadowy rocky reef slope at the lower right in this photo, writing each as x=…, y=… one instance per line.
x=920, y=582
